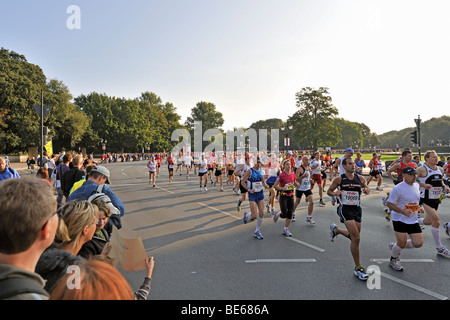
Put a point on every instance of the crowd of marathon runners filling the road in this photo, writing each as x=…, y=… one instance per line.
x=419, y=189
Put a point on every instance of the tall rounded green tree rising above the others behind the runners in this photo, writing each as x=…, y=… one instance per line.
x=313, y=124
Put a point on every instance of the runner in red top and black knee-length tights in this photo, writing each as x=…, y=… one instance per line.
x=285, y=184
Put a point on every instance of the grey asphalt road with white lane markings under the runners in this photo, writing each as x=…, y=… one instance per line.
x=203, y=251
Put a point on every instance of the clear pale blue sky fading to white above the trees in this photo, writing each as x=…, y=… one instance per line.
x=384, y=62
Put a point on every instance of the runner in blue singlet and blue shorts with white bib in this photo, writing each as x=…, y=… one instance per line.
x=254, y=183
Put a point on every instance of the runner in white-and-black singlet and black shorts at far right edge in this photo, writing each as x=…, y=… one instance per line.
x=431, y=187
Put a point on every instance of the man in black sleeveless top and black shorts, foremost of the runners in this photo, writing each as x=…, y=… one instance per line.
x=348, y=188
